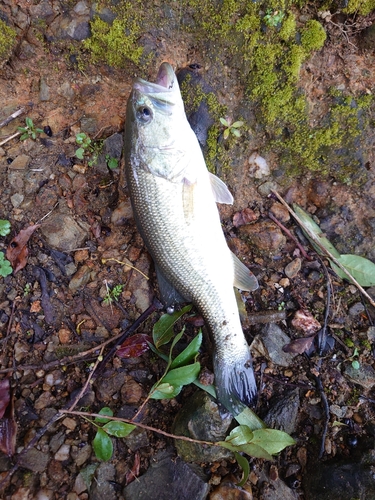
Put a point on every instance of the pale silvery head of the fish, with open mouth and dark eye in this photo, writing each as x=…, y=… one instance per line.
x=156, y=130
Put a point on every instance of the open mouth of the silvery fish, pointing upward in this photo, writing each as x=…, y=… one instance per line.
x=166, y=83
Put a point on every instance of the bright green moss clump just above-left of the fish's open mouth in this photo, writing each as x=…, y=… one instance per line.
x=116, y=44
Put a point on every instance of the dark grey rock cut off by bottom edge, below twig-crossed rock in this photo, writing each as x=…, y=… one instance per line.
x=167, y=479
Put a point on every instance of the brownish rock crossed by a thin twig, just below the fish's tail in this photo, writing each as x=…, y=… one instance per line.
x=200, y=419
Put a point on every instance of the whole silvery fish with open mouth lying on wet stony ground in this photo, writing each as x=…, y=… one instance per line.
x=174, y=199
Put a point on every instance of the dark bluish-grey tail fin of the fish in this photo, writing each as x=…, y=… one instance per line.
x=235, y=384
